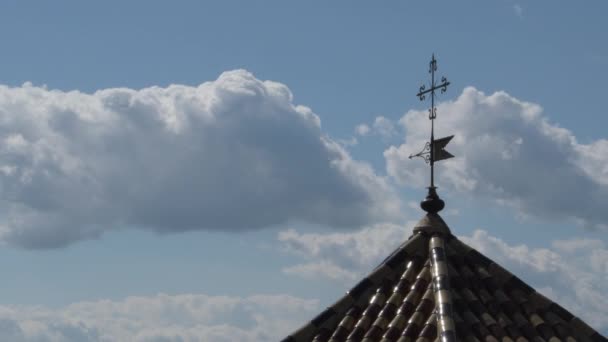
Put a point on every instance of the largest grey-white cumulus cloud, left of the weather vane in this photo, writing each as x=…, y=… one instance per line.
x=232, y=154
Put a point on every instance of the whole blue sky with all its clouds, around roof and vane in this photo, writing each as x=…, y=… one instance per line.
x=220, y=171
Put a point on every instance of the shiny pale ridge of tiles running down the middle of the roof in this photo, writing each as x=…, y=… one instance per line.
x=441, y=289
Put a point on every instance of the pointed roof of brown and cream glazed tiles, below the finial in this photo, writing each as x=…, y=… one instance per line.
x=436, y=287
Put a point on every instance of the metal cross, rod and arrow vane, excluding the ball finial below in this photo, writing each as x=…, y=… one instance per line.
x=434, y=150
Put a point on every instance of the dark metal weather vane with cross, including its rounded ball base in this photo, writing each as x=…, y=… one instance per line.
x=434, y=150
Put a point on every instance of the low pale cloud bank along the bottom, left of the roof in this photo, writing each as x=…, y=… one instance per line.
x=179, y=318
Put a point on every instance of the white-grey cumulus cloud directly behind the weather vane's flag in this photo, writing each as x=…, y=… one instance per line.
x=507, y=150
